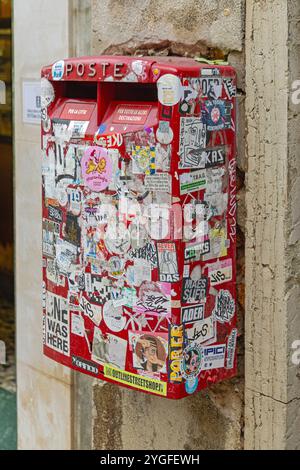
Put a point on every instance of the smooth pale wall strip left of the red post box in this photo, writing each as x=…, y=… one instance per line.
x=41, y=36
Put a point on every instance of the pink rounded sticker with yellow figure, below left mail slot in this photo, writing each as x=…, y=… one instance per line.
x=96, y=168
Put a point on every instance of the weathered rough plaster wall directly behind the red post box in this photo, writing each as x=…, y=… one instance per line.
x=213, y=419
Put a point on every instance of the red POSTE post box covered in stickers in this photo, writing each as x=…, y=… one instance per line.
x=139, y=221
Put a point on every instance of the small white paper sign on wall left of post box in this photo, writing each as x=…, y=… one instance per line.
x=32, y=102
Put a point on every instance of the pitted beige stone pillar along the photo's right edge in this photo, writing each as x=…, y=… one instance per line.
x=272, y=228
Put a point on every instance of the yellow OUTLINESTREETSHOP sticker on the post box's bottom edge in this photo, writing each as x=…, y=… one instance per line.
x=135, y=380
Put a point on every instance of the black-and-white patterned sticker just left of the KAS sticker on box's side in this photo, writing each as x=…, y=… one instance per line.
x=191, y=140
